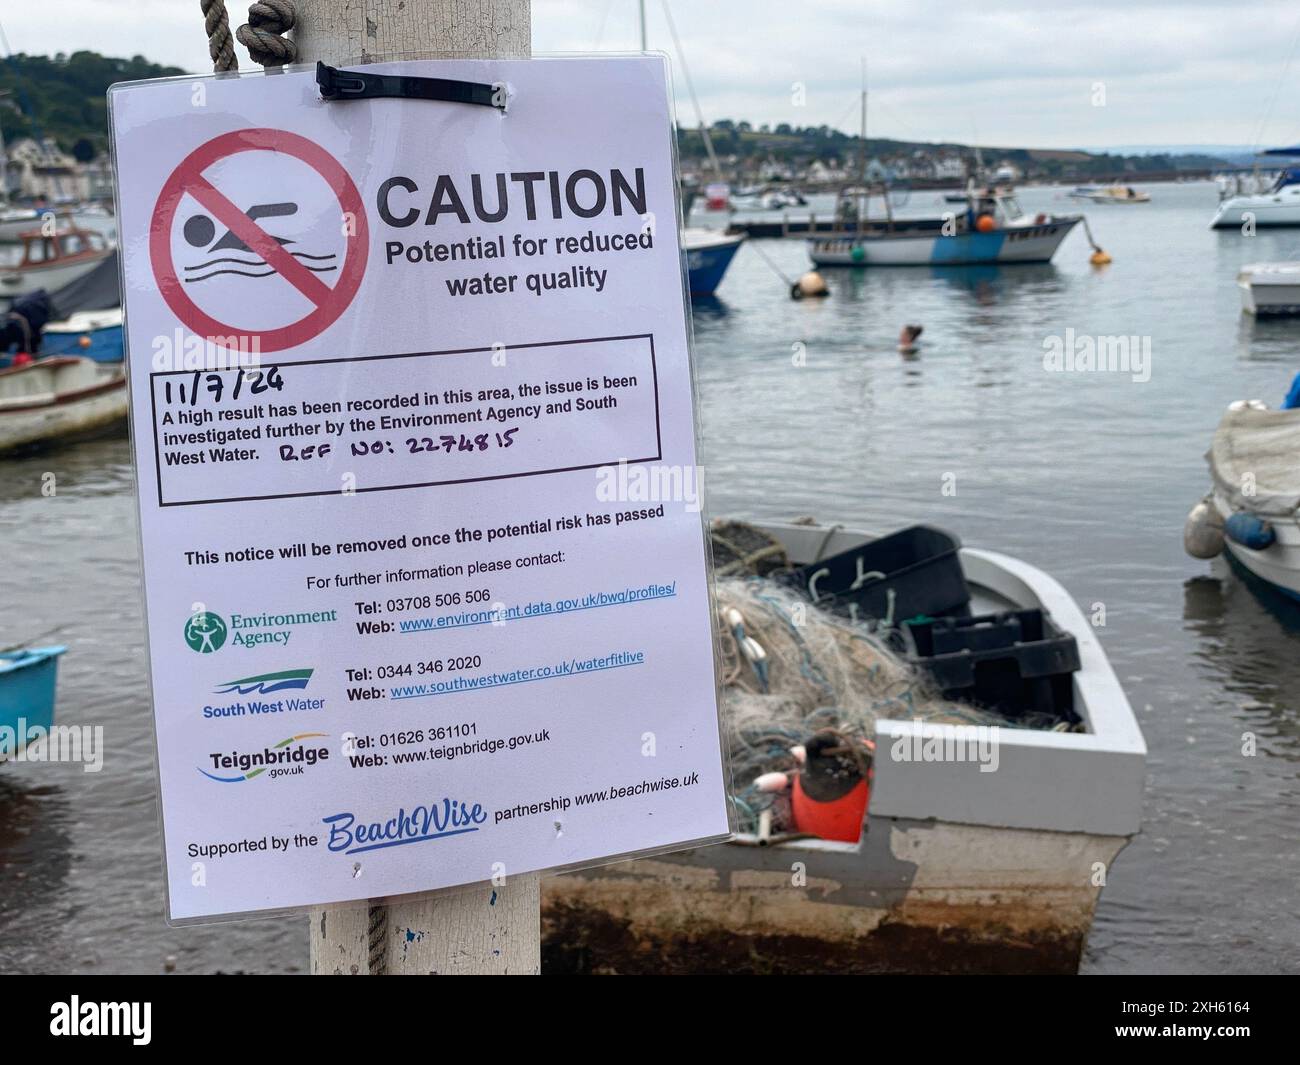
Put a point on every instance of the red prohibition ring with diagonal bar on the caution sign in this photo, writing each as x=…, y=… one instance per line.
x=188, y=180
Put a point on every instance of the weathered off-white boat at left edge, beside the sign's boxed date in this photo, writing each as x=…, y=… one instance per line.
x=59, y=400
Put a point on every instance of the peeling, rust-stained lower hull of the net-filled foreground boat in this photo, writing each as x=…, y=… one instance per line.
x=915, y=898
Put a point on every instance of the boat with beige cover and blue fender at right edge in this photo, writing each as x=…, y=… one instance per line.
x=1251, y=509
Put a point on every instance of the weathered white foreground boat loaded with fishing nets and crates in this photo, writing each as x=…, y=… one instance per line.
x=956, y=872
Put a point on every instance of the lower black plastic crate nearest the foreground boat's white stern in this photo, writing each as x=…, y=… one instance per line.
x=1015, y=663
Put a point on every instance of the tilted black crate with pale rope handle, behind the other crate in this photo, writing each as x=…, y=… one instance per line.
x=918, y=569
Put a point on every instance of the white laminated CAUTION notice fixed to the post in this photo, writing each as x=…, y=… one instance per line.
x=413, y=415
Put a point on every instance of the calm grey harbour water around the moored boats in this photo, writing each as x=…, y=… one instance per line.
x=1089, y=477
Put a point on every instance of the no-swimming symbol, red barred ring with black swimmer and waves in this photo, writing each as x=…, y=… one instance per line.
x=246, y=235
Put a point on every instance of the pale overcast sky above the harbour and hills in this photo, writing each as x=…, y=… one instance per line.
x=1052, y=73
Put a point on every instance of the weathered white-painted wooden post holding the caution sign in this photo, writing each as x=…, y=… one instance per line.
x=489, y=929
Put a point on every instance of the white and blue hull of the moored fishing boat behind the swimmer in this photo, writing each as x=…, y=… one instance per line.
x=1033, y=244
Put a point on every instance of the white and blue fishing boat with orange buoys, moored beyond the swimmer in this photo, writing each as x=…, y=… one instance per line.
x=993, y=230
